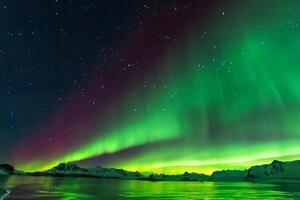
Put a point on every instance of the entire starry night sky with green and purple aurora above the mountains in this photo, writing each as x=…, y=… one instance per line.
x=162, y=86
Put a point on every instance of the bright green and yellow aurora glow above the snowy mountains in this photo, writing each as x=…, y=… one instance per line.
x=229, y=95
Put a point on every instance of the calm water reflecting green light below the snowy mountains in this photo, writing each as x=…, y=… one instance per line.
x=89, y=188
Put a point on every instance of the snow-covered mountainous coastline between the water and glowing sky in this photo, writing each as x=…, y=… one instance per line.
x=277, y=171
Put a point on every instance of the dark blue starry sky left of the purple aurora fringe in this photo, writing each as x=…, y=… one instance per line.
x=49, y=48
